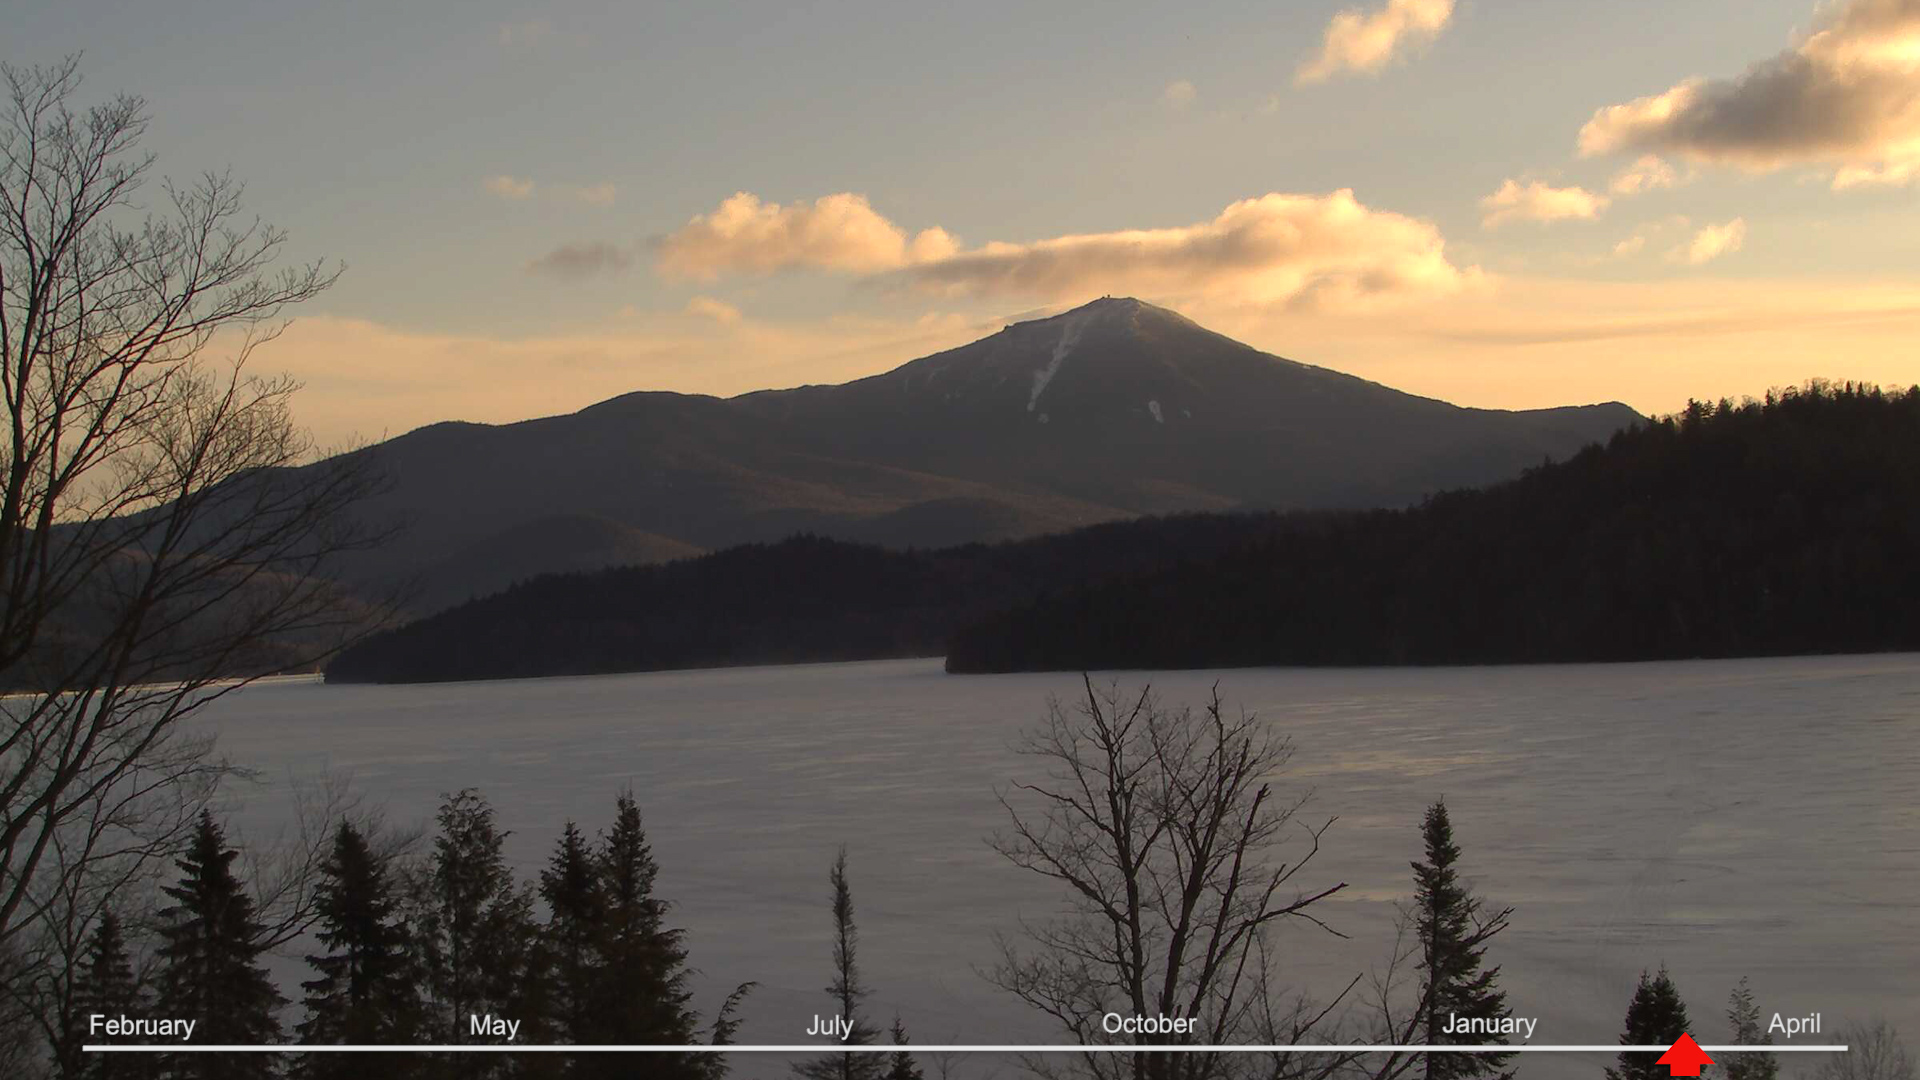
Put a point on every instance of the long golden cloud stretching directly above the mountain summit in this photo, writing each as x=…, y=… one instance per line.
x=1274, y=251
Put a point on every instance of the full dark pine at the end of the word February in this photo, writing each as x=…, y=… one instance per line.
x=210, y=964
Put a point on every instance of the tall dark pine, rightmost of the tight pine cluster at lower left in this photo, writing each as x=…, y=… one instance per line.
x=642, y=966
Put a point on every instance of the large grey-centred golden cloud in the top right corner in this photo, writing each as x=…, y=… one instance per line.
x=1848, y=97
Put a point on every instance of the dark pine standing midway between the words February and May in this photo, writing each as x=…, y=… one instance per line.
x=366, y=991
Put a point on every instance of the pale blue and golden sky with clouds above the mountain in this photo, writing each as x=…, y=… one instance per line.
x=1495, y=203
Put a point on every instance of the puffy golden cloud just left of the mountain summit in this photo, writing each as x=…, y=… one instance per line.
x=838, y=232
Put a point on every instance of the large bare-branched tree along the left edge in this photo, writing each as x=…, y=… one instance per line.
x=166, y=529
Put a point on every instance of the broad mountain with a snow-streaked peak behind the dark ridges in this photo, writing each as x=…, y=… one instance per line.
x=1109, y=412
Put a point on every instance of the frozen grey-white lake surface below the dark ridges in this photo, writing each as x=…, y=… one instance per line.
x=1723, y=818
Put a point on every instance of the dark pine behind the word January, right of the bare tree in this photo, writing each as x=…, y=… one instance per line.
x=1454, y=929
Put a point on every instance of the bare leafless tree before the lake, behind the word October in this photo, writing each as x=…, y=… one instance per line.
x=1166, y=831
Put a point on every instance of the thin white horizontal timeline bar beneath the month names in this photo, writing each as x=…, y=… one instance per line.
x=928, y=1048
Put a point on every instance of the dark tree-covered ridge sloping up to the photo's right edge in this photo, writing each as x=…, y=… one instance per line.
x=1787, y=526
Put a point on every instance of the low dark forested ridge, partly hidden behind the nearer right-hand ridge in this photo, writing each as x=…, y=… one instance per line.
x=805, y=599
